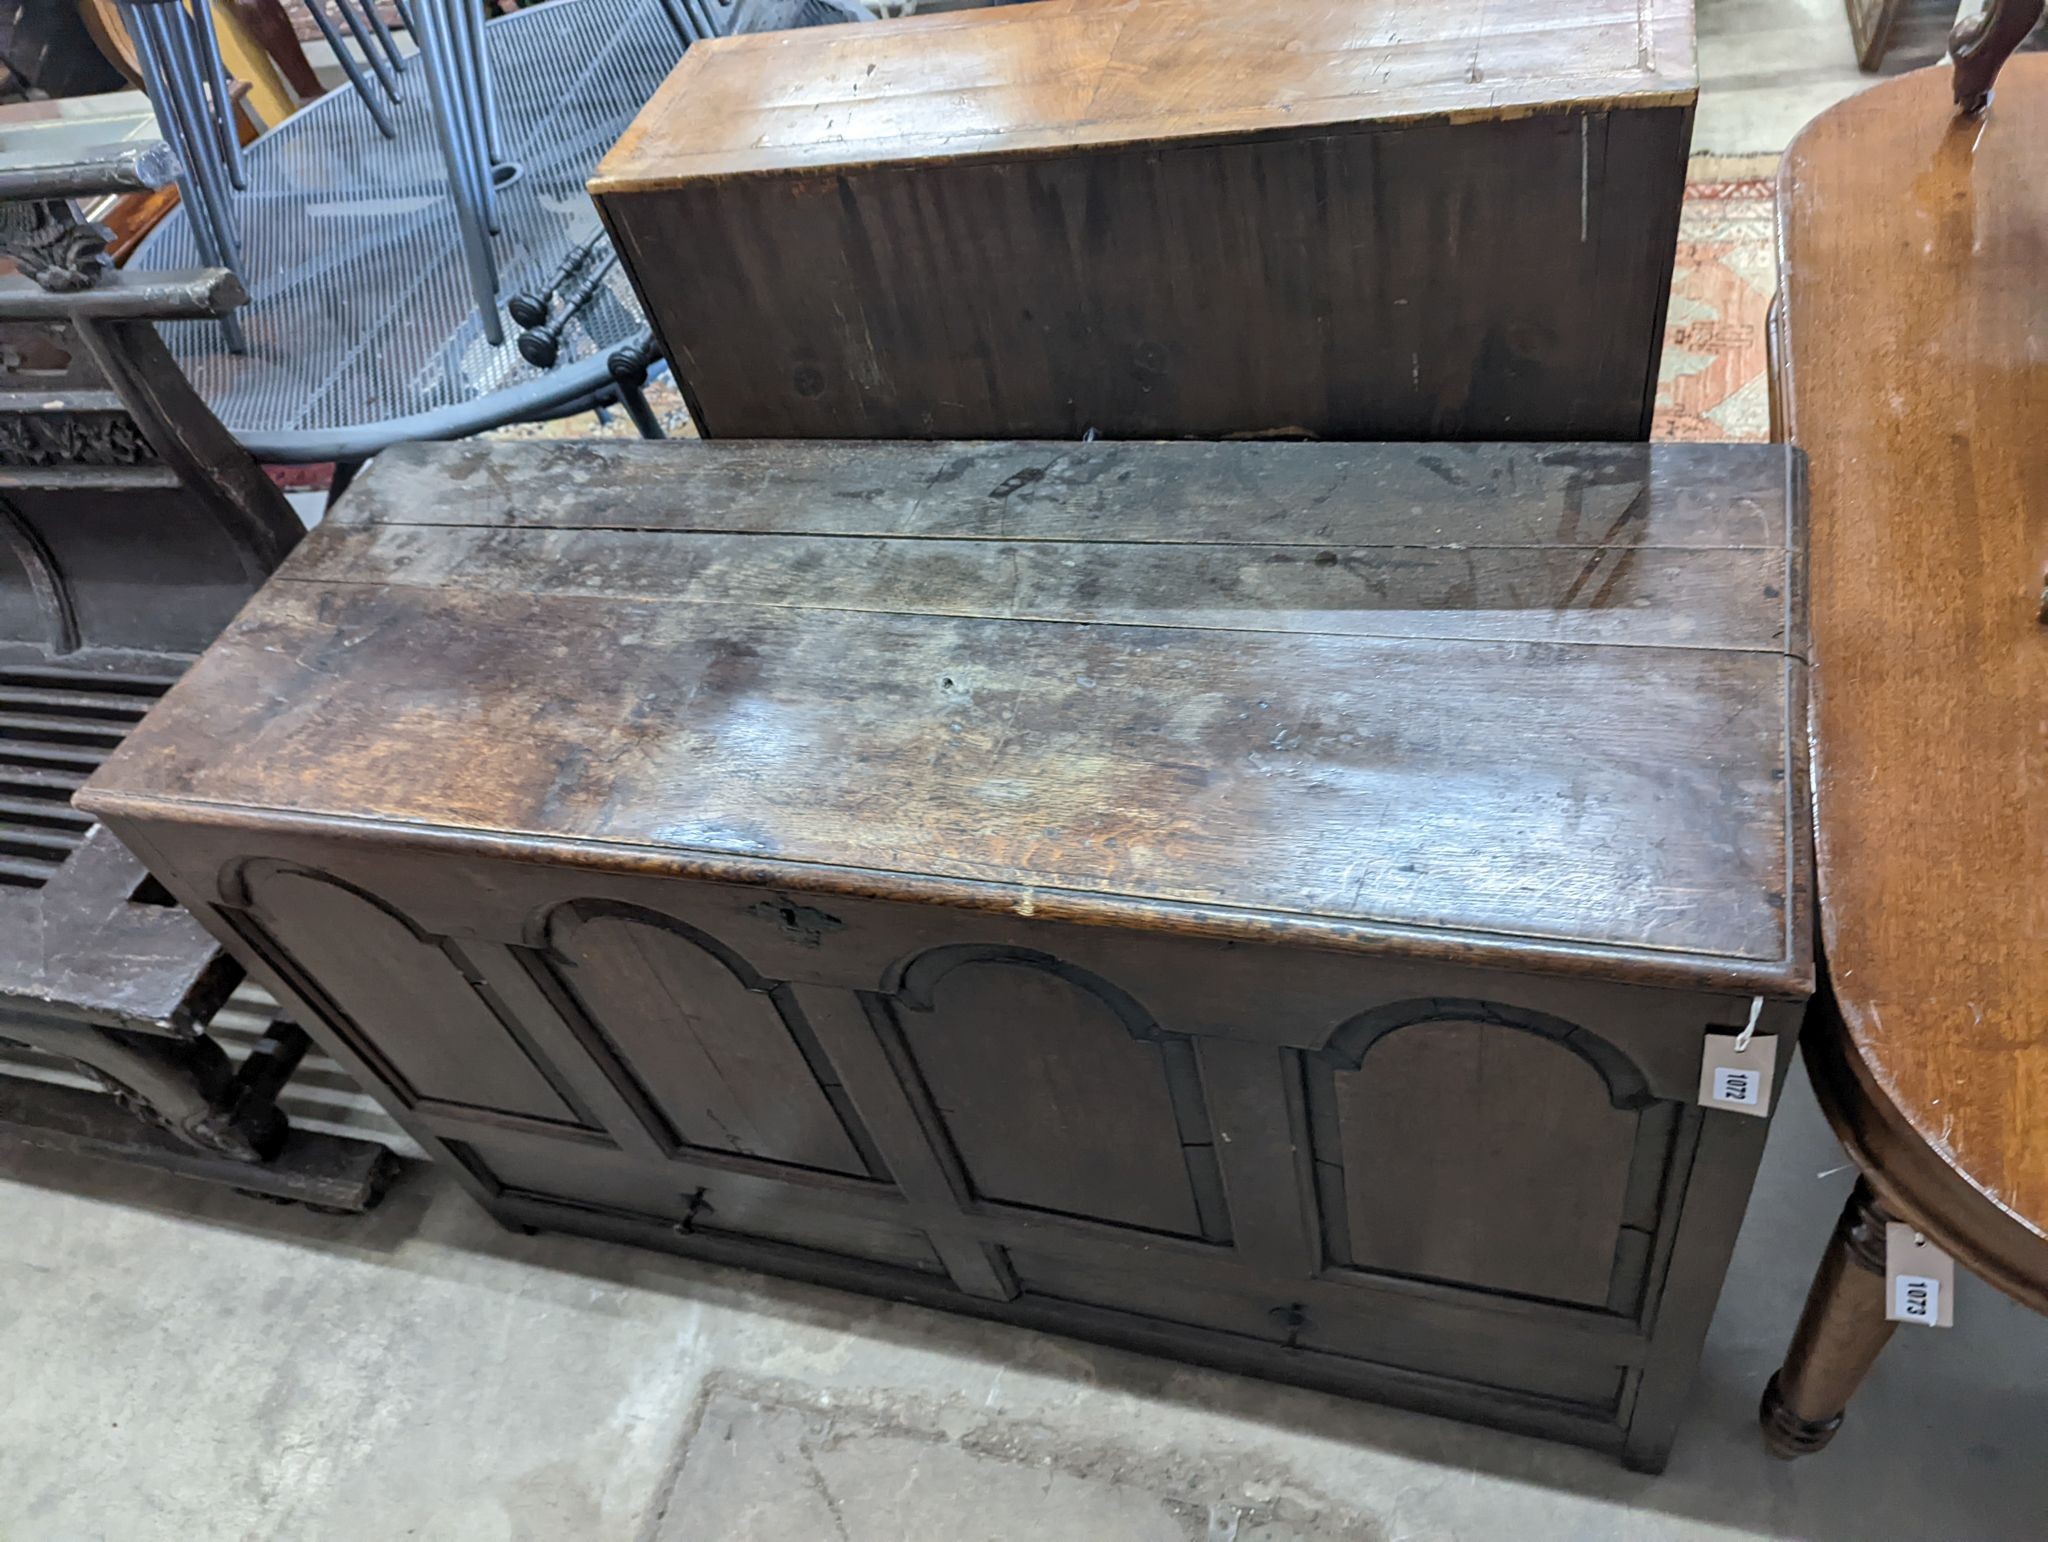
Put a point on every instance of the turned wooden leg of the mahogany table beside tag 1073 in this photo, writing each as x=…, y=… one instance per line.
x=1838, y=1334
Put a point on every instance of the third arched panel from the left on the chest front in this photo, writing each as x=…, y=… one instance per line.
x=1093, y=1113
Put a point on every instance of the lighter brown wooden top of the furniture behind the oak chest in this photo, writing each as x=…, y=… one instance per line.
x=1064, y=75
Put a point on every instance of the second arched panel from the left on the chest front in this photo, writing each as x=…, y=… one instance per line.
x=720, y=1054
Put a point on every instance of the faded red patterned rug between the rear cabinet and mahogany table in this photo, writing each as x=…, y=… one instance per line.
x=1711, y=384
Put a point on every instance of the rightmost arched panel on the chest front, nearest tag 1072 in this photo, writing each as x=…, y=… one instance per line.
x=1490, y=1148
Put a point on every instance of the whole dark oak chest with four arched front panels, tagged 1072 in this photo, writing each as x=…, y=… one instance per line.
x=1258, y=904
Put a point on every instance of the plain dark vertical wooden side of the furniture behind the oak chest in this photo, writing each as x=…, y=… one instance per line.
x=1293, y=286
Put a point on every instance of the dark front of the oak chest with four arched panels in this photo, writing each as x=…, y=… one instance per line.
x=1365, y=1166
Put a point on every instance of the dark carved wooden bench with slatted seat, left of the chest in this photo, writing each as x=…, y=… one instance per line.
x=132, y=529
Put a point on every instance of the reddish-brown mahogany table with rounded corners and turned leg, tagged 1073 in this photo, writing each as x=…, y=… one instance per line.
x=1912, y=366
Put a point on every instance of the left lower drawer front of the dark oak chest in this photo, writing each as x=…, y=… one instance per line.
x=726, y=1205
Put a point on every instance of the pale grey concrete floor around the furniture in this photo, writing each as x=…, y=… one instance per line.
x=183, y=1365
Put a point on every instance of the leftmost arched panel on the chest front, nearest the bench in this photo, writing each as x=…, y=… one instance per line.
x=398, y=996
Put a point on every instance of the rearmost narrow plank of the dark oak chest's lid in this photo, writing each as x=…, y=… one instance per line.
x=1207, y=495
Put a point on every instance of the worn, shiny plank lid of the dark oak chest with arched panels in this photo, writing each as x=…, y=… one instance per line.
x=1453, y=697
